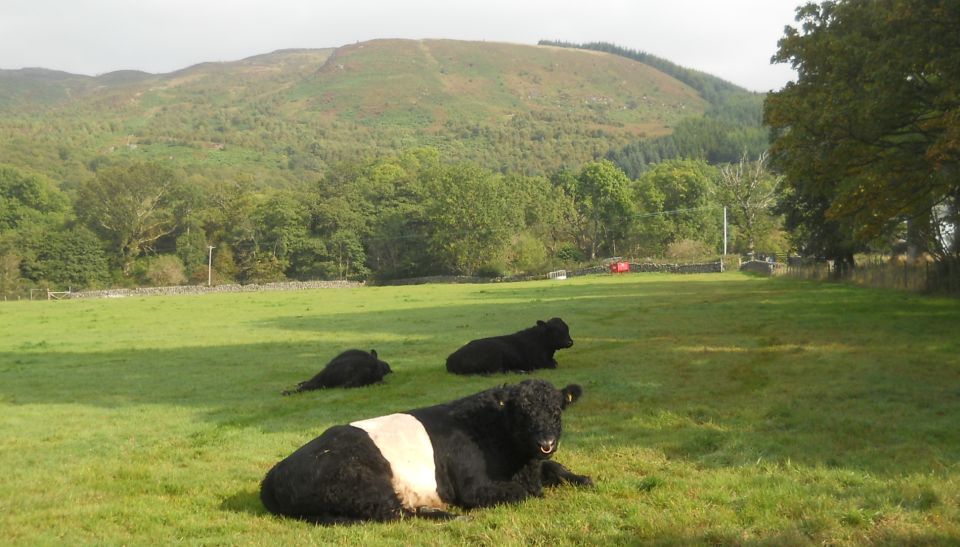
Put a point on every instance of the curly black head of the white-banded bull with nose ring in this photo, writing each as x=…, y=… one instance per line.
x=533, y=409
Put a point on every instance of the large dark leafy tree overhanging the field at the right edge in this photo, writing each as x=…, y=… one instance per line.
x=868, y=137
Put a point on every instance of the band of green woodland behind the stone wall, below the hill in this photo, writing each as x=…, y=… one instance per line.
x=404, y=215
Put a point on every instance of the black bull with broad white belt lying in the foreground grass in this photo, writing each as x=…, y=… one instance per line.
x=486, y=449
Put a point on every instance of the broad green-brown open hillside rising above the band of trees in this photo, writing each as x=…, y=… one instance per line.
x=285, y=116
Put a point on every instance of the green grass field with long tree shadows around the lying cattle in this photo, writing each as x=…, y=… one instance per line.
x=720, y=409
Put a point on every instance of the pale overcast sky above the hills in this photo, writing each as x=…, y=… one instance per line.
x=732, y=39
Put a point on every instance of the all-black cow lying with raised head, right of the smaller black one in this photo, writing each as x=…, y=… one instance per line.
x=526, y=350
